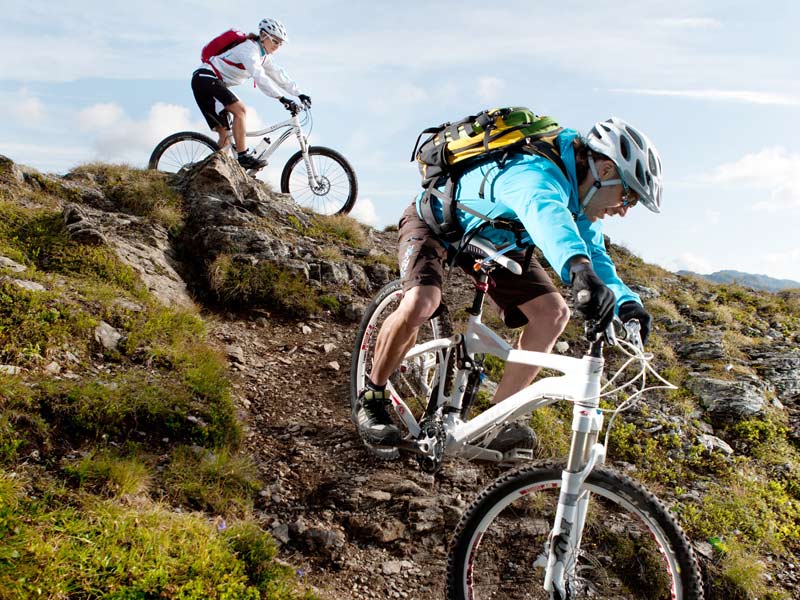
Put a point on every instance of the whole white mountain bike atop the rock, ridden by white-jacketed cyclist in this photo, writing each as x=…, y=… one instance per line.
x=317, y=177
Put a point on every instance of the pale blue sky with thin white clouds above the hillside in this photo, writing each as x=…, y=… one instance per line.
x=713, y=83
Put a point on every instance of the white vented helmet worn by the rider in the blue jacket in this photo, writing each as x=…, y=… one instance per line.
x=636, y=157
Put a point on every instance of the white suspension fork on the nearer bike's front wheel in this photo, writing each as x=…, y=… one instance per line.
x=573, y=501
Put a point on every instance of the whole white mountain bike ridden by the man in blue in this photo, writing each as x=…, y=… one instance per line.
x=533, y=533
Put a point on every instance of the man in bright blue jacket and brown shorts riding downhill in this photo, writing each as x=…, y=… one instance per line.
x=609, y=172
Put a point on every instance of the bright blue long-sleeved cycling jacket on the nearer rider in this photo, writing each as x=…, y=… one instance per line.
x=534, y=191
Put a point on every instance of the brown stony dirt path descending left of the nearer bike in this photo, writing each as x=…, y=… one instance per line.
x=356, y=526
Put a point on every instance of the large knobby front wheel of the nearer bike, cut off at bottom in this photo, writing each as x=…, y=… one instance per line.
x=632, y=547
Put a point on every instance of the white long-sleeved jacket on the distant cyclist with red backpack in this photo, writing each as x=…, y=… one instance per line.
x=248, y=60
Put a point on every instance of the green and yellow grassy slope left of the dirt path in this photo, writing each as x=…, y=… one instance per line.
x=121, y=474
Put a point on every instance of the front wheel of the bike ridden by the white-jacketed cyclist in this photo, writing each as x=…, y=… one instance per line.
x=335, y=190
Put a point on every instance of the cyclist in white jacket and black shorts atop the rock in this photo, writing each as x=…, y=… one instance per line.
x=249, y=59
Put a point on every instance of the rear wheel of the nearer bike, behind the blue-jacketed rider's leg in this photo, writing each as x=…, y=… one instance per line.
x=416, y=379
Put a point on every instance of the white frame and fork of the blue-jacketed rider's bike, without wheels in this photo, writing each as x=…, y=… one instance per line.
x=579, y=384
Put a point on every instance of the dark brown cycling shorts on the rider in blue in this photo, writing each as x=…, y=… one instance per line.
x=422, y=257
